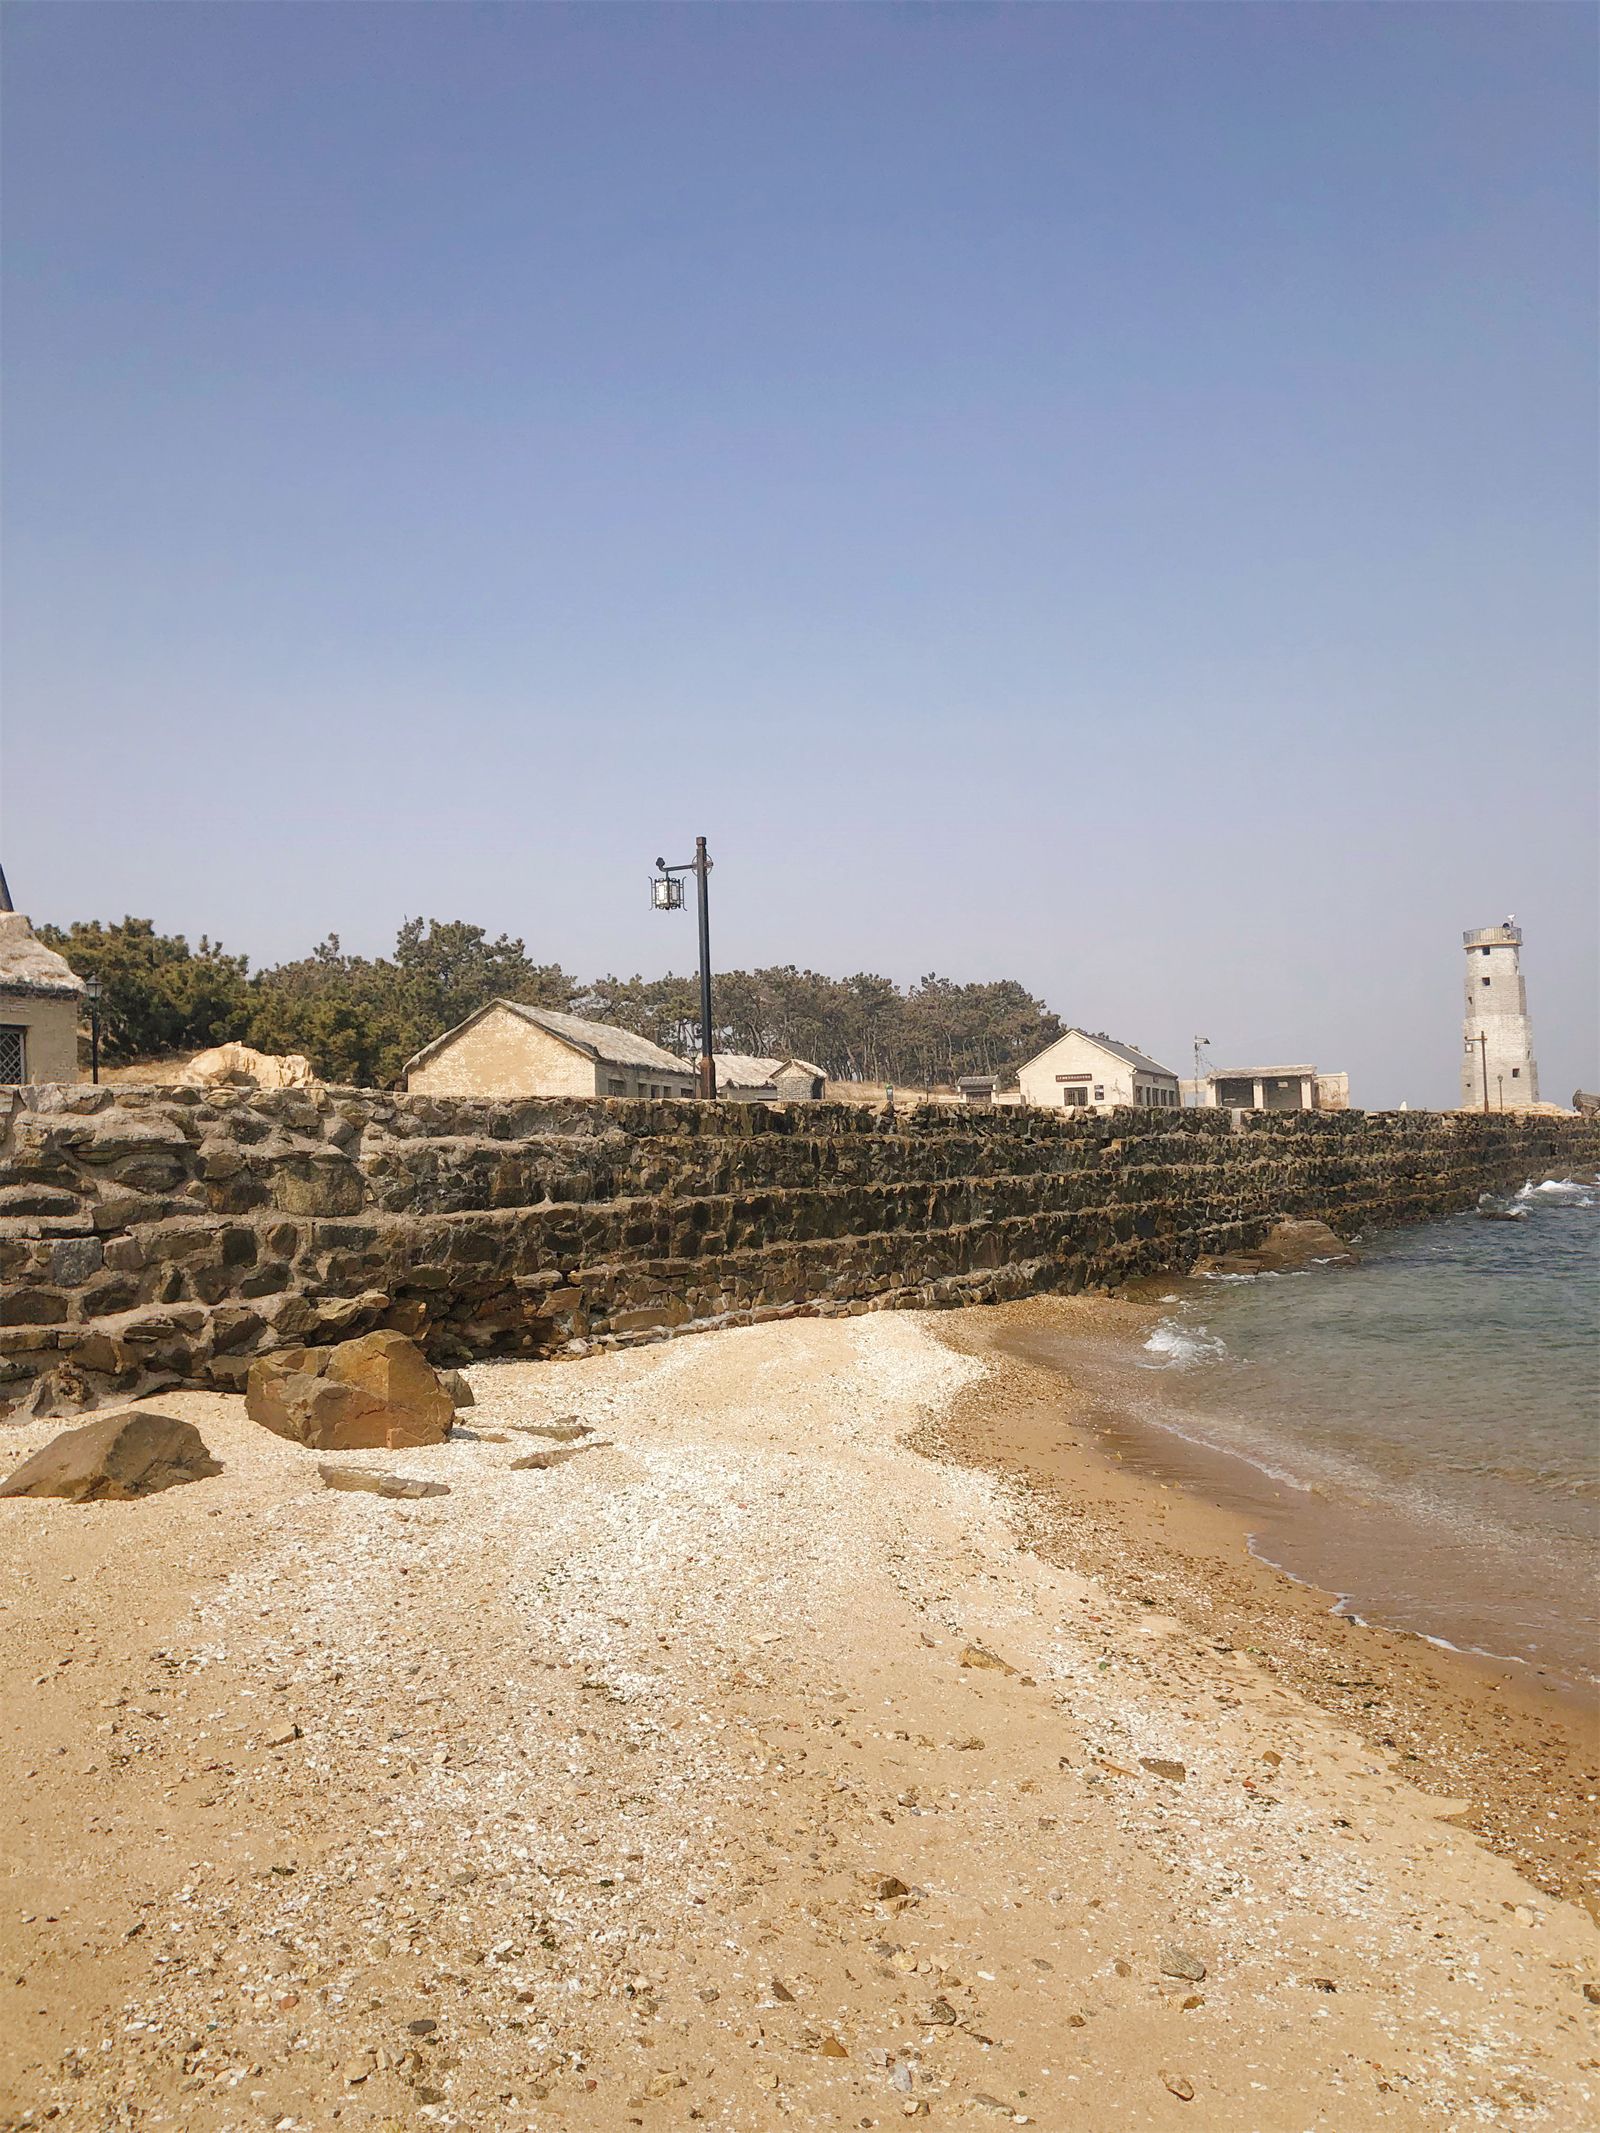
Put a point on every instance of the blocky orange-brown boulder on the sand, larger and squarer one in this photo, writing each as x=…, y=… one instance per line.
x=370, y=1394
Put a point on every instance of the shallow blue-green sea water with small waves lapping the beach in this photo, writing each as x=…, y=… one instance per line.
x=1422, y=1432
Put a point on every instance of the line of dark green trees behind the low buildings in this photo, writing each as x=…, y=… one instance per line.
x=362, y=1019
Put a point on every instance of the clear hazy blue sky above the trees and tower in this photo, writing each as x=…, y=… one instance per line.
x=1089, y=494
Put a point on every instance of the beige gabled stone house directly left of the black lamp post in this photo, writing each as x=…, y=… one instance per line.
x=515, y=1051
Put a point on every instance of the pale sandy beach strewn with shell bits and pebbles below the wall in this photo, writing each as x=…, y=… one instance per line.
x=812, y=1750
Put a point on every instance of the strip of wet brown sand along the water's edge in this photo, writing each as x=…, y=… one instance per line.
x=1514, y=1761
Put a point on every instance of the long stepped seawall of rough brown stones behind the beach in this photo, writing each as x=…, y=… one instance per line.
x=161, y=1236
